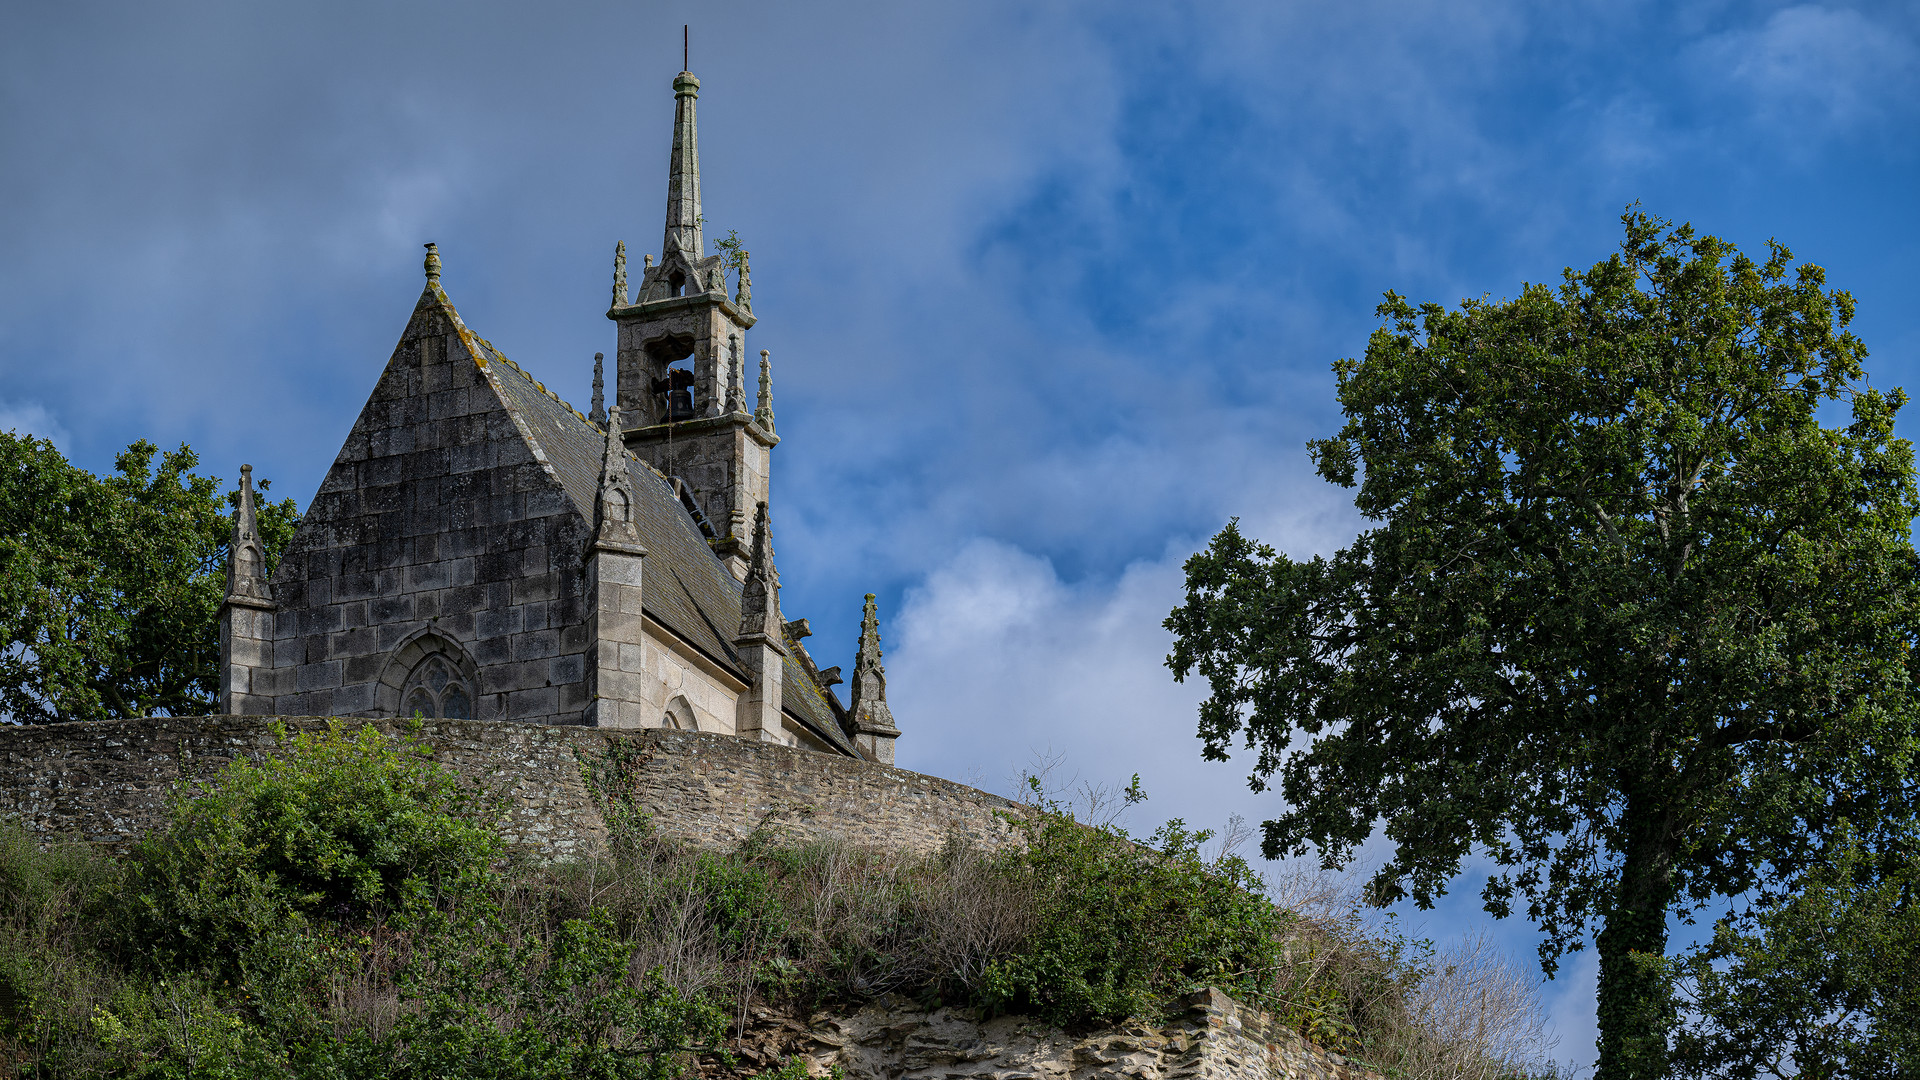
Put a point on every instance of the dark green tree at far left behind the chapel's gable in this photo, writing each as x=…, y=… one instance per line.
x=110, y=587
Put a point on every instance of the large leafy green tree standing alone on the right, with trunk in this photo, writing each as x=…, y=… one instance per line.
x=1633, y=622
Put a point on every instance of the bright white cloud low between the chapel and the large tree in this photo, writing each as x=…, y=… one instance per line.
x=997, y=660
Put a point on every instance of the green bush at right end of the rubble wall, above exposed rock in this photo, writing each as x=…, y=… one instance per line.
x=1124, y=925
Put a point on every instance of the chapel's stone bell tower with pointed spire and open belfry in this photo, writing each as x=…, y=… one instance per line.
x=681, y=364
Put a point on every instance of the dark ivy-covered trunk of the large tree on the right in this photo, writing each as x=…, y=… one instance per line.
x=1637, y=1008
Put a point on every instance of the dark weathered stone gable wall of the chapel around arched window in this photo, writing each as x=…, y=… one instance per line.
x=435, y=518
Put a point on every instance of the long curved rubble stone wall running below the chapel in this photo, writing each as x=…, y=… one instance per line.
x=108, y=781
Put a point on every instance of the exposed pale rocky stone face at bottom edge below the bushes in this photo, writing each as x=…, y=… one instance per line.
x=1212, y=1039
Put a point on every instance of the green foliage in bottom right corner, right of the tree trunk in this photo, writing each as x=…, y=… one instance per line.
x=1823, y=985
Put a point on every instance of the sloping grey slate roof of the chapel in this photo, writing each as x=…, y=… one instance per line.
x=688, y=587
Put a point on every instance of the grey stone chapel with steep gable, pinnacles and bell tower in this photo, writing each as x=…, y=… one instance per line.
x=483, y=551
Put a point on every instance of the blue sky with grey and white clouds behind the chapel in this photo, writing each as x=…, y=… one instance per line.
x=1051, y=289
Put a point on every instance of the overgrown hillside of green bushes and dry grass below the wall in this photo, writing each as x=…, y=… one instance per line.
x=348, y=910
